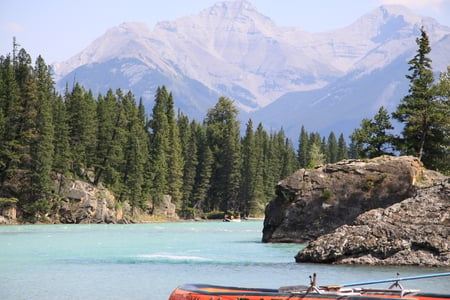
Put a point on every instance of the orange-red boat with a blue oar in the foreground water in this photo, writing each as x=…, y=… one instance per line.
x=348, y=291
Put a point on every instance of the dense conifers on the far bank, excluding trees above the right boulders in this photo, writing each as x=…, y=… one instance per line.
x=111, y=140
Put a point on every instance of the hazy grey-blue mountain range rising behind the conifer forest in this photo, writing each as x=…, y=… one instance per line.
x=280, y=76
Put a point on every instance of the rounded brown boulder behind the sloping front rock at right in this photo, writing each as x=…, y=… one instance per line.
x=311, y=203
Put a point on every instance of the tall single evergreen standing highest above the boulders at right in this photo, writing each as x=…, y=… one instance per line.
x=418, y=110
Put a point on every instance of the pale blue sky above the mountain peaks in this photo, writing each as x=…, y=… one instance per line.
x=59, y=29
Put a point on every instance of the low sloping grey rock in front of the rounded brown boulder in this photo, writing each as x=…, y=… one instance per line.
x=415, y=231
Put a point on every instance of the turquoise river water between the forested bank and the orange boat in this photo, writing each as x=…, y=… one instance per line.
x=147, y=261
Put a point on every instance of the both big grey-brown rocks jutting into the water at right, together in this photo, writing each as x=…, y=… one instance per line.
x=386, y=210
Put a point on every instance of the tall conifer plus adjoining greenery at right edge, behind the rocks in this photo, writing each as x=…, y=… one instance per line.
x=424, y=111
